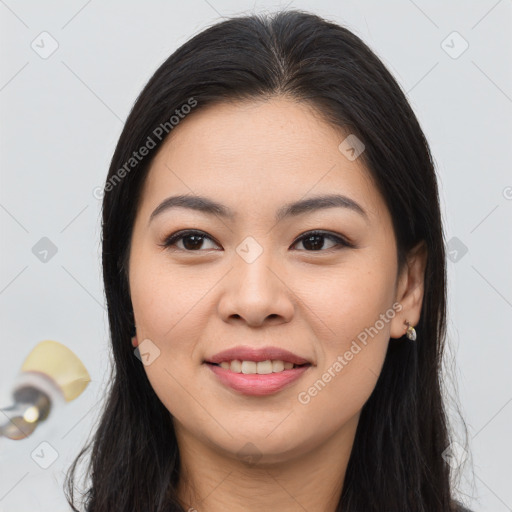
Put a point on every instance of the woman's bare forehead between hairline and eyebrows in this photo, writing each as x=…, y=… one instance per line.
x=254, y=153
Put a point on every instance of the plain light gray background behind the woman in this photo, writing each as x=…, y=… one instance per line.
x=61, y=118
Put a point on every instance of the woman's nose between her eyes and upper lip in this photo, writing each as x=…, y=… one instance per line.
x=256, y=292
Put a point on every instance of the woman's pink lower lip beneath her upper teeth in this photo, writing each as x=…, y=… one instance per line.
x=255, y=384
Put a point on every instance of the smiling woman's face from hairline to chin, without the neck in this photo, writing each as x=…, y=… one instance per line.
x=252, y=280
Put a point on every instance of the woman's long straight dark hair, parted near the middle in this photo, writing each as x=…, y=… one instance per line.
x=397, y=461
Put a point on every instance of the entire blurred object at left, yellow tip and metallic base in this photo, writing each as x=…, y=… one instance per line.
x=49, y=373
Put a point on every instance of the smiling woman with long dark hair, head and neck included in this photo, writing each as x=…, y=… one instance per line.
x=273, y=248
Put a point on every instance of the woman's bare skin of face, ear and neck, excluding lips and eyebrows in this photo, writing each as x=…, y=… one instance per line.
x=254, y=157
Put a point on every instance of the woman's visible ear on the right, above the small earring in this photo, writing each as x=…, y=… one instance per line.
x=409, y=290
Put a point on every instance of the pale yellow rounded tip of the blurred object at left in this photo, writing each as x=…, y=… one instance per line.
x=60, y=364
